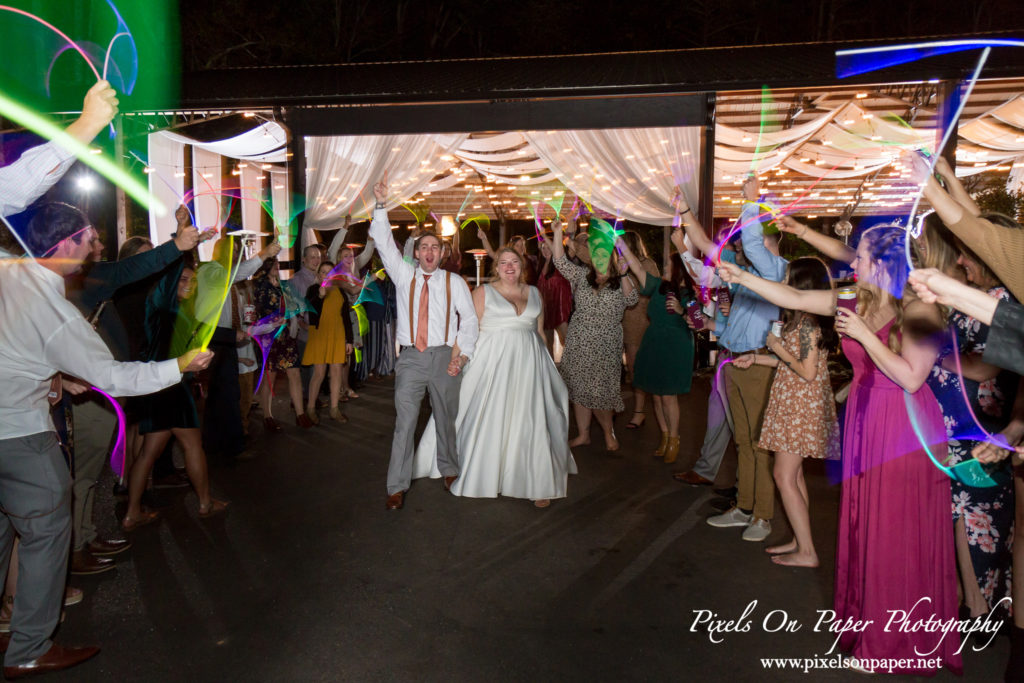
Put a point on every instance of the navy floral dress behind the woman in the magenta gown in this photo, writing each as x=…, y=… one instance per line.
x=988, y=513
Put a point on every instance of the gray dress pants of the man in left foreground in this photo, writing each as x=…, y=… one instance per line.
x=35, y=500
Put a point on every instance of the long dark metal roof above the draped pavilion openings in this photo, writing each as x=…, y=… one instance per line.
x=617, y=74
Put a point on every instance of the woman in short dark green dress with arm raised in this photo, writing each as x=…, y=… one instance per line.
x=665, y=362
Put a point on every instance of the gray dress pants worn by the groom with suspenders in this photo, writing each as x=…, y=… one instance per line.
x=417, y=373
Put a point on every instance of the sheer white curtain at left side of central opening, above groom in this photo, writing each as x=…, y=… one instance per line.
x=343, y=172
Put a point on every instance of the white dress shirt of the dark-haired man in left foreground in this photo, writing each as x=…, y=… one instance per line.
x=42, y=333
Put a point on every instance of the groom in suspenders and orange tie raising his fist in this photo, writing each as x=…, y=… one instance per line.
x=429, y=327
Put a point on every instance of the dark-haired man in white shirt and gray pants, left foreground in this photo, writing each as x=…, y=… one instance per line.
x=41, y=334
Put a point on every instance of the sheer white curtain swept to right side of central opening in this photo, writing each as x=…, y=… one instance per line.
x=627, y=173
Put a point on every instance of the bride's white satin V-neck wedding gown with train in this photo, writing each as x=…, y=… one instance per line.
x=513, y=428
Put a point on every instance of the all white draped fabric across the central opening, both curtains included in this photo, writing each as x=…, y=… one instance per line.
x=630, y=174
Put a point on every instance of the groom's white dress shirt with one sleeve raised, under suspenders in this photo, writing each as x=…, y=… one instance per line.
x=463, y=329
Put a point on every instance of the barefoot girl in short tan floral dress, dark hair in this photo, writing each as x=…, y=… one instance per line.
x=800, y=420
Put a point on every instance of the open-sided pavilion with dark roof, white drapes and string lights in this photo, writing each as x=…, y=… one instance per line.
x=519, y=138
